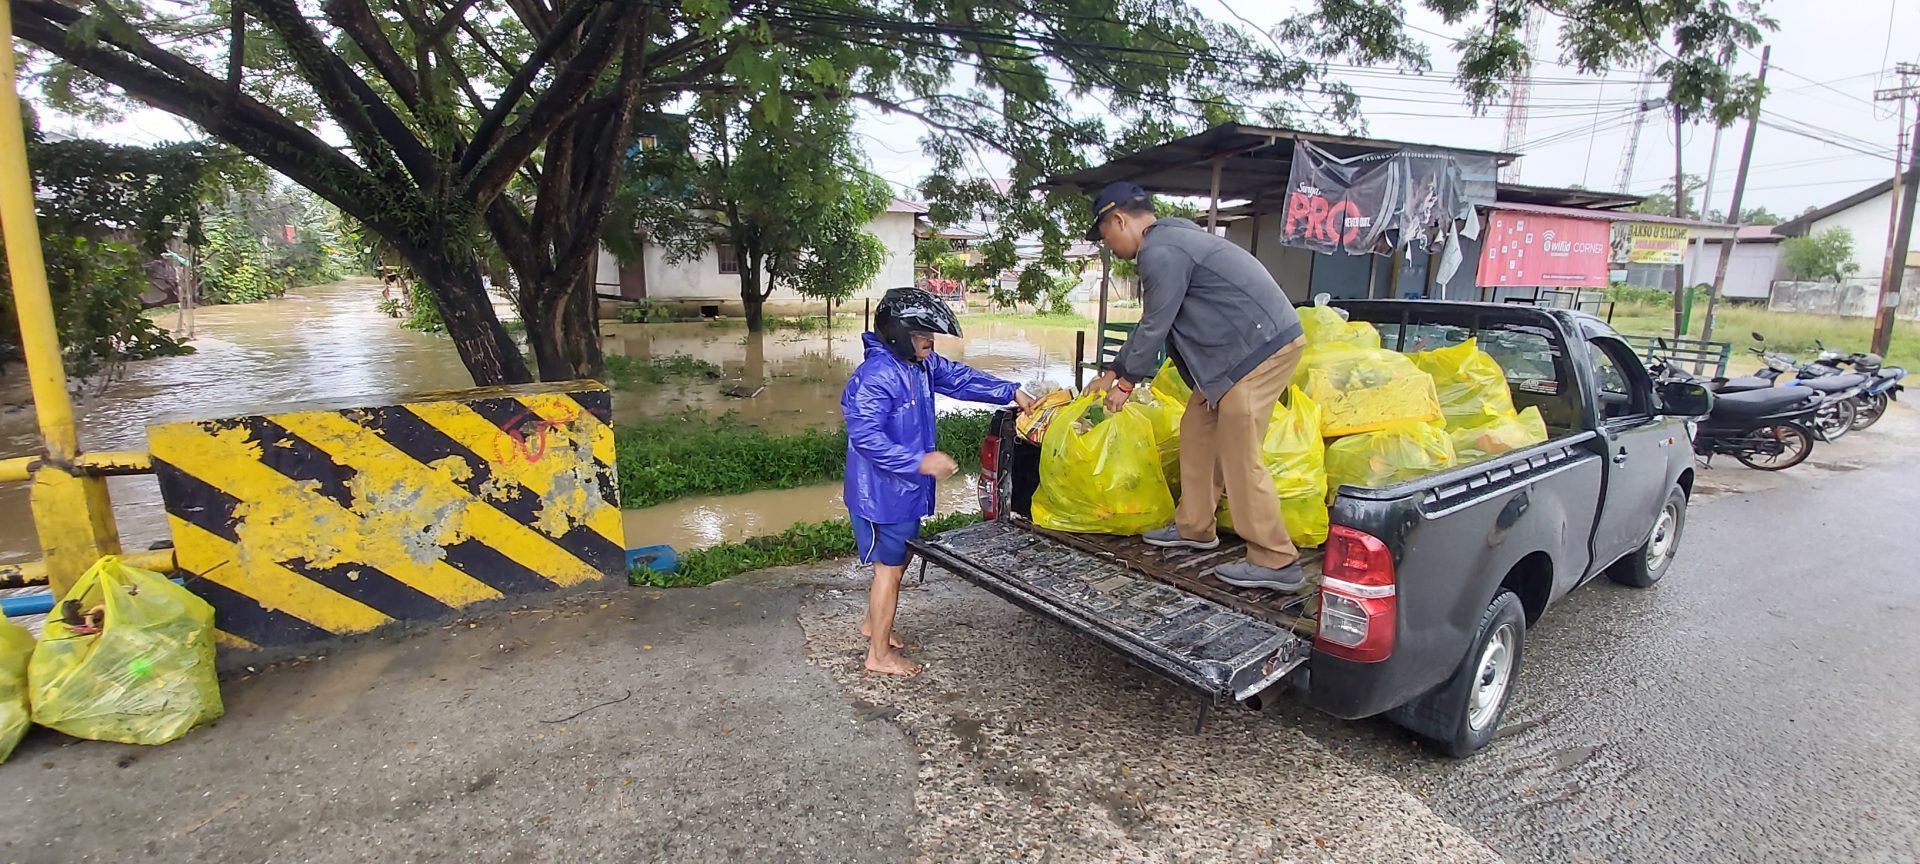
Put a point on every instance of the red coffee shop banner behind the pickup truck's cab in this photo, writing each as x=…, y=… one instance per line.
x=1525, y=251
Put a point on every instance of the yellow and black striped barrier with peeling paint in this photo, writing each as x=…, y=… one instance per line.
x=320, y=521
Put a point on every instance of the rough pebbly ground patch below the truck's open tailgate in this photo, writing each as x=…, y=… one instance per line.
x=1038, y=746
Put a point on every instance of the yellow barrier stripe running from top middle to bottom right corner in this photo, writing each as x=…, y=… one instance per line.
x=385, y=468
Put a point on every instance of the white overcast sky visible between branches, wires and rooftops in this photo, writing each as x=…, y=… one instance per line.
x=1829, y=60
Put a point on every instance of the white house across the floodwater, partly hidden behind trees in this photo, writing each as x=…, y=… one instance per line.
x=713, y=279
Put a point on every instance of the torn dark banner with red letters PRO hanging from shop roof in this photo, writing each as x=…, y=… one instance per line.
x=1378, y=203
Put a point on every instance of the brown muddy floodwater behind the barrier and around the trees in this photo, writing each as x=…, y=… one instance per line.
x=329, y=343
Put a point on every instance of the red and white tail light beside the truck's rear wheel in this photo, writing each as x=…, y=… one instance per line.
x=1358, y=598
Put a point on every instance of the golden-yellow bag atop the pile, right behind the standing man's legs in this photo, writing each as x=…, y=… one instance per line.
x=1366, y=389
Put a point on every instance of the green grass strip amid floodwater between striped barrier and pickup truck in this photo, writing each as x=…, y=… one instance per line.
x=700, y=456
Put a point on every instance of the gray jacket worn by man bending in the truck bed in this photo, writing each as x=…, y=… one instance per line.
x=1214, y=300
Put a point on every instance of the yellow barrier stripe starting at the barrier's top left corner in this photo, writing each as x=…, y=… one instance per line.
x=308, y=519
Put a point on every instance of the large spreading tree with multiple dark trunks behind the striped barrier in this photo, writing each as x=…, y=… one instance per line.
x=491, y=135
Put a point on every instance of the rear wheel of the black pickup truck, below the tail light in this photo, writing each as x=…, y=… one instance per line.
x=1462, y=715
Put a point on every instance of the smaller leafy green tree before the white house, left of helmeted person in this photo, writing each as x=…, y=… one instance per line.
x=779, y=183
